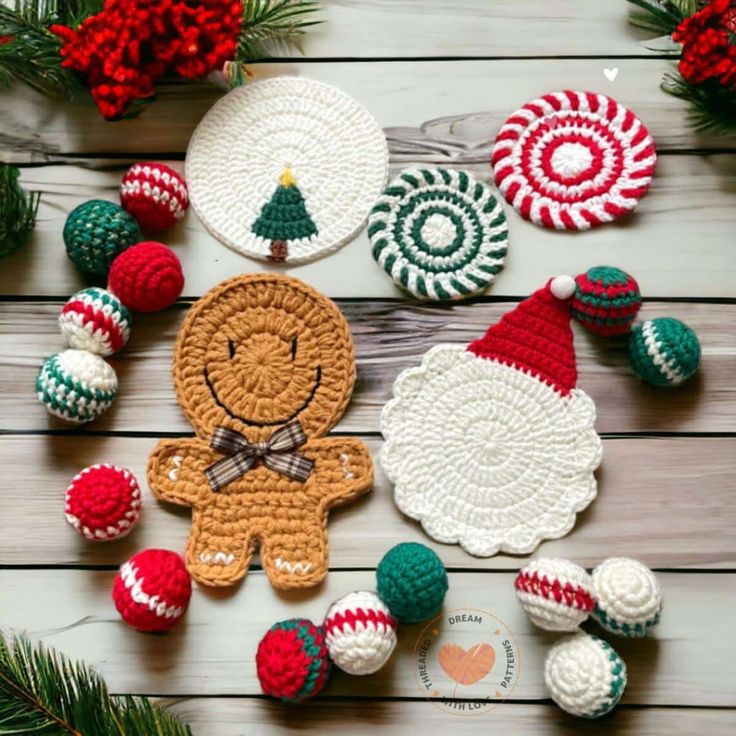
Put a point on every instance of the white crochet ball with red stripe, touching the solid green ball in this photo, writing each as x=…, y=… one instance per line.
x=360, y=633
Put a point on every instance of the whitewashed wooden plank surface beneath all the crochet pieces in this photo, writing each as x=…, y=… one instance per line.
x=441, y=78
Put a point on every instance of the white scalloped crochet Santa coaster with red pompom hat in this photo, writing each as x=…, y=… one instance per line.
x=492, y=446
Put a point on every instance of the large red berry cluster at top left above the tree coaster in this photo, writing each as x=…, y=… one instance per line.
x=130, y=44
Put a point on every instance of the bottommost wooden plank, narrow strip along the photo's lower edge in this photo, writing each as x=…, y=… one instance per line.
x=238, y=717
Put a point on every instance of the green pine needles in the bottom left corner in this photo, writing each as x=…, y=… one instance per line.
x=42, y=692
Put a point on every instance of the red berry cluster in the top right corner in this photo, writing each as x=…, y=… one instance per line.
x=708, y=41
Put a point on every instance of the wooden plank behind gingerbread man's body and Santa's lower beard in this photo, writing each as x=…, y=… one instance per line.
x=694, y=514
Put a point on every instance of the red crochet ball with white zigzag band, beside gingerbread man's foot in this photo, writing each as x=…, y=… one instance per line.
x=152, y=590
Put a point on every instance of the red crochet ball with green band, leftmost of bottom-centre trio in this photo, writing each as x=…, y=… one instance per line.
x=292, y=661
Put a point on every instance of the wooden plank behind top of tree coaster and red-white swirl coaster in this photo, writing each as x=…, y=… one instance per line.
x=400, y=94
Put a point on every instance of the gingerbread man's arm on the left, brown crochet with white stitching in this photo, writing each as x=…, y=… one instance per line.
x=176, y=471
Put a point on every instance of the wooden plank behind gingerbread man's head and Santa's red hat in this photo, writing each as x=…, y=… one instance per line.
x=389, y=337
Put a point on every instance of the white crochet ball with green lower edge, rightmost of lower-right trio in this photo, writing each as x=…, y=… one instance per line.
x=629, y=601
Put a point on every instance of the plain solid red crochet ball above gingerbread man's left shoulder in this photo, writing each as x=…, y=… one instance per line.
x=146, y=277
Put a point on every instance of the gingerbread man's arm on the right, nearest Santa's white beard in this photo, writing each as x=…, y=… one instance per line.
x=343, y=468
